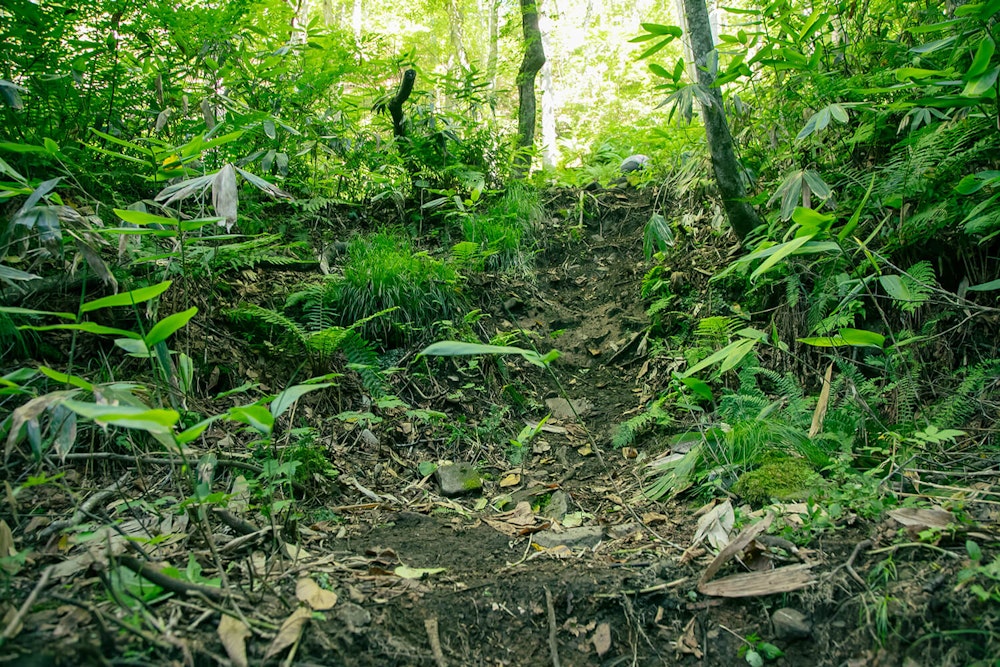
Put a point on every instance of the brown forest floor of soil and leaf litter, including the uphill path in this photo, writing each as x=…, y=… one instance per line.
x=575, y=568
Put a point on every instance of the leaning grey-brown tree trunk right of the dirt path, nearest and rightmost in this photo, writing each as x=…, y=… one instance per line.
x=742, y=216
